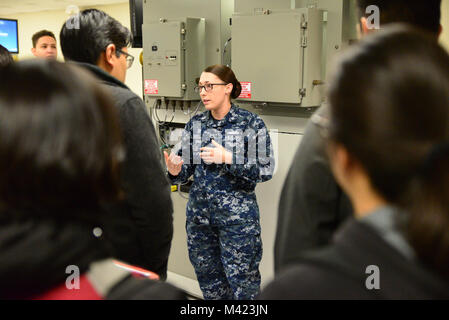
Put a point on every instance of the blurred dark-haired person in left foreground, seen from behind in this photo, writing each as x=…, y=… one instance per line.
x=60, y=158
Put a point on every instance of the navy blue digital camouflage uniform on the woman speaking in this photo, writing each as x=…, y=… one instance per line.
x=223, y=228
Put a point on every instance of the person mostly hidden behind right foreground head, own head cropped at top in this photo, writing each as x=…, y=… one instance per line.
x=312, y=205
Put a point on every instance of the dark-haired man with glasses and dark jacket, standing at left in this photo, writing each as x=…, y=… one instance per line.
x=144, y=224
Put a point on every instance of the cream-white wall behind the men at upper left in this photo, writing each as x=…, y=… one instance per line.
x=29, y=23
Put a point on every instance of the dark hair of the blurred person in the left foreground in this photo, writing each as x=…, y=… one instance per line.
x=60, y=145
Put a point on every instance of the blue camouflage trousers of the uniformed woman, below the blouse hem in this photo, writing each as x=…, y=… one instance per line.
x=226, y=259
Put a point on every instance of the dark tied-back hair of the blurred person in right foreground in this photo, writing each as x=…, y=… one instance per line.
x=389, y=108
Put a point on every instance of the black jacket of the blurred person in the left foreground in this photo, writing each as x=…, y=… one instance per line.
x=35, y=253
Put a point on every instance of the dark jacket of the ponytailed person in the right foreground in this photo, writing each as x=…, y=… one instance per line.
x=340, y=271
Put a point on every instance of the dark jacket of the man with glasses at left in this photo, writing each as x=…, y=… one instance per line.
x=142, y=226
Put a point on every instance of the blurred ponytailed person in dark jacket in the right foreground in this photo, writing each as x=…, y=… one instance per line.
x=391, y=158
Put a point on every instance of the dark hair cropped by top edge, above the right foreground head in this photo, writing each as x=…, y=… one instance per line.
x=420, y=14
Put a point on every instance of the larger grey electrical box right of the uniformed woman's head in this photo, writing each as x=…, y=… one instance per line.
x=277, y=56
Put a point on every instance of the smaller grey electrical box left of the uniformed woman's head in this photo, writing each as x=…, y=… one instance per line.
x=174, y=56
